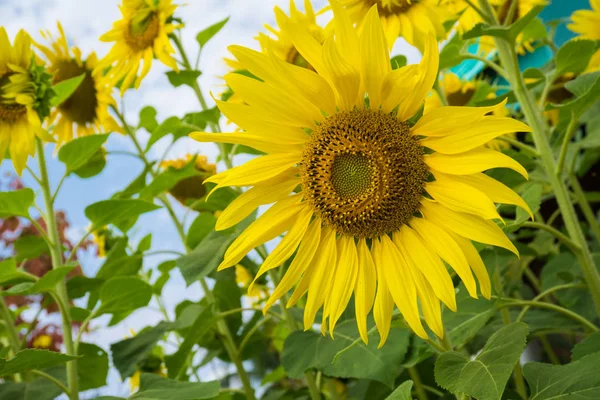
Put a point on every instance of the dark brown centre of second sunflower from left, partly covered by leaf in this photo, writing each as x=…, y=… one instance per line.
x=80, y=107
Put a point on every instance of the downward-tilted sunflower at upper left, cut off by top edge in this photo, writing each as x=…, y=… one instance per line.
x=140, y=35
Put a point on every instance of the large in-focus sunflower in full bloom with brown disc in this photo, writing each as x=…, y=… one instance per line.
x=356, y=185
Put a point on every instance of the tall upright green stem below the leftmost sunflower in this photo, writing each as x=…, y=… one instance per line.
x=56, y=255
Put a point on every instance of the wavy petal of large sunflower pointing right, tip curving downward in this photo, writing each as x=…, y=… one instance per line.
x=473, y=161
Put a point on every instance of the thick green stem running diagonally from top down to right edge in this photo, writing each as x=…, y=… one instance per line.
x=533, y=115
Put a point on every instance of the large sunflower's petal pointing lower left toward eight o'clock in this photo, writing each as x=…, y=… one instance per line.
x=276, y=220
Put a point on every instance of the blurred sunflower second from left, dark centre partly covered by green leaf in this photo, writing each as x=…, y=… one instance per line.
x=86, y=111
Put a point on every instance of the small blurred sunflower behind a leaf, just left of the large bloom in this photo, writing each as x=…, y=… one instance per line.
x=191, y=188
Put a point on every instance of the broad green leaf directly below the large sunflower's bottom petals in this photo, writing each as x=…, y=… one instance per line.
x=305, y=350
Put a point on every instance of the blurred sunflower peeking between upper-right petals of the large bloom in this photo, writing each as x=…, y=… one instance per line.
x=460, y=93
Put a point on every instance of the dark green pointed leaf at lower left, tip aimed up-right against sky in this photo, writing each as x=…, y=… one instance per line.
x=127, y=353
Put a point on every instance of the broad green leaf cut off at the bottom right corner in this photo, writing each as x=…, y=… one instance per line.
x=577, y=380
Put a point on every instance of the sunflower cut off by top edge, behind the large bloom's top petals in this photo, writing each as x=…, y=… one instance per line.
x=414, y=20
